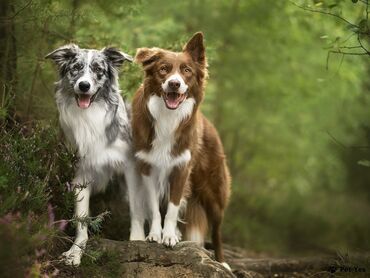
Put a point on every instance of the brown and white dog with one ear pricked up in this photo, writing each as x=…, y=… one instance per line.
x=181, y=158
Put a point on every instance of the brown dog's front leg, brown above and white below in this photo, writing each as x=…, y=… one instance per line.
x=178, y=179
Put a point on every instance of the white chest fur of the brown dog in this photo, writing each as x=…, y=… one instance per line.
x=166, y=123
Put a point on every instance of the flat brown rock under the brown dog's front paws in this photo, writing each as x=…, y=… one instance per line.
x=143, y=259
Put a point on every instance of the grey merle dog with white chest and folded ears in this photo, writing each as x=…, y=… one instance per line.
x=95, y=120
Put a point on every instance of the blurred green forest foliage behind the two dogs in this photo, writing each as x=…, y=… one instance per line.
x=294, y=124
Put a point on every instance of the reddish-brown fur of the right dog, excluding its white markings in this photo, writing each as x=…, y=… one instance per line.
x=205, y=180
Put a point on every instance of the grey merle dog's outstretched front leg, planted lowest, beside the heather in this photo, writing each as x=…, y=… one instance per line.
x=82, y=192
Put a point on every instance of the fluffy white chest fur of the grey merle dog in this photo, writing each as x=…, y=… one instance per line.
x=85, y=129
